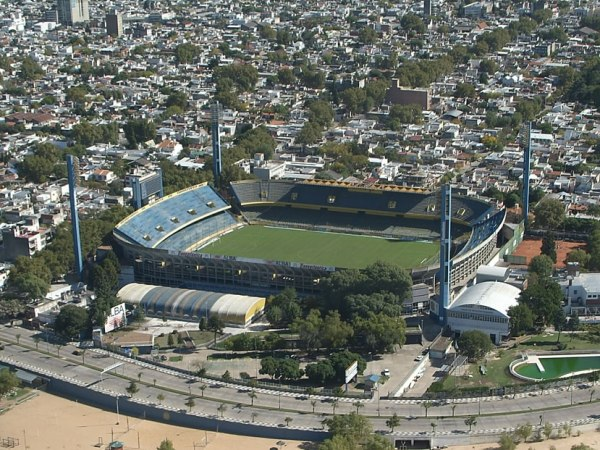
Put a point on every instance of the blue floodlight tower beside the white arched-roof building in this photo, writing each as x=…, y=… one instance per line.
x=445, y=255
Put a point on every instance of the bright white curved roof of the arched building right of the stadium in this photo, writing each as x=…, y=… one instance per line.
x=489, y=294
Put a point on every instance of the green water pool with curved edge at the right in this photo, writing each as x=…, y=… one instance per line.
x=558, y=367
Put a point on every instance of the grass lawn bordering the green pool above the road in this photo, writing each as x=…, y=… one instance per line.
x=497, y=365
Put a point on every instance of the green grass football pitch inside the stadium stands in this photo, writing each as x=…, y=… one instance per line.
x=315, y=247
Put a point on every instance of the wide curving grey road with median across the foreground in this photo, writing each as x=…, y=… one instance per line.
x=271, y=408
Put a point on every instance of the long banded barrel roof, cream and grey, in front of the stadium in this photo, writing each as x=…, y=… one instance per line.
x=188, y=304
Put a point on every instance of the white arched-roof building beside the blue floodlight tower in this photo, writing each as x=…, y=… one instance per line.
x=484, y=307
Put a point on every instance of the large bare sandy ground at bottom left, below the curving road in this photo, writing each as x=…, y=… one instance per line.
x=47, y=422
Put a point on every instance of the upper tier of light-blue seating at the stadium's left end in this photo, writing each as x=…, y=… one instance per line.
x=154, y=223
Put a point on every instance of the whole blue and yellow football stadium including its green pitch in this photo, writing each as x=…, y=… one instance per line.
x=270, y=235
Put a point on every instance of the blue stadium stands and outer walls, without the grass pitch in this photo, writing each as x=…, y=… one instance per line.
x=161, y=240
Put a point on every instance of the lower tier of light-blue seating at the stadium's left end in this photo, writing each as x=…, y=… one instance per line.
x=199, y=231
